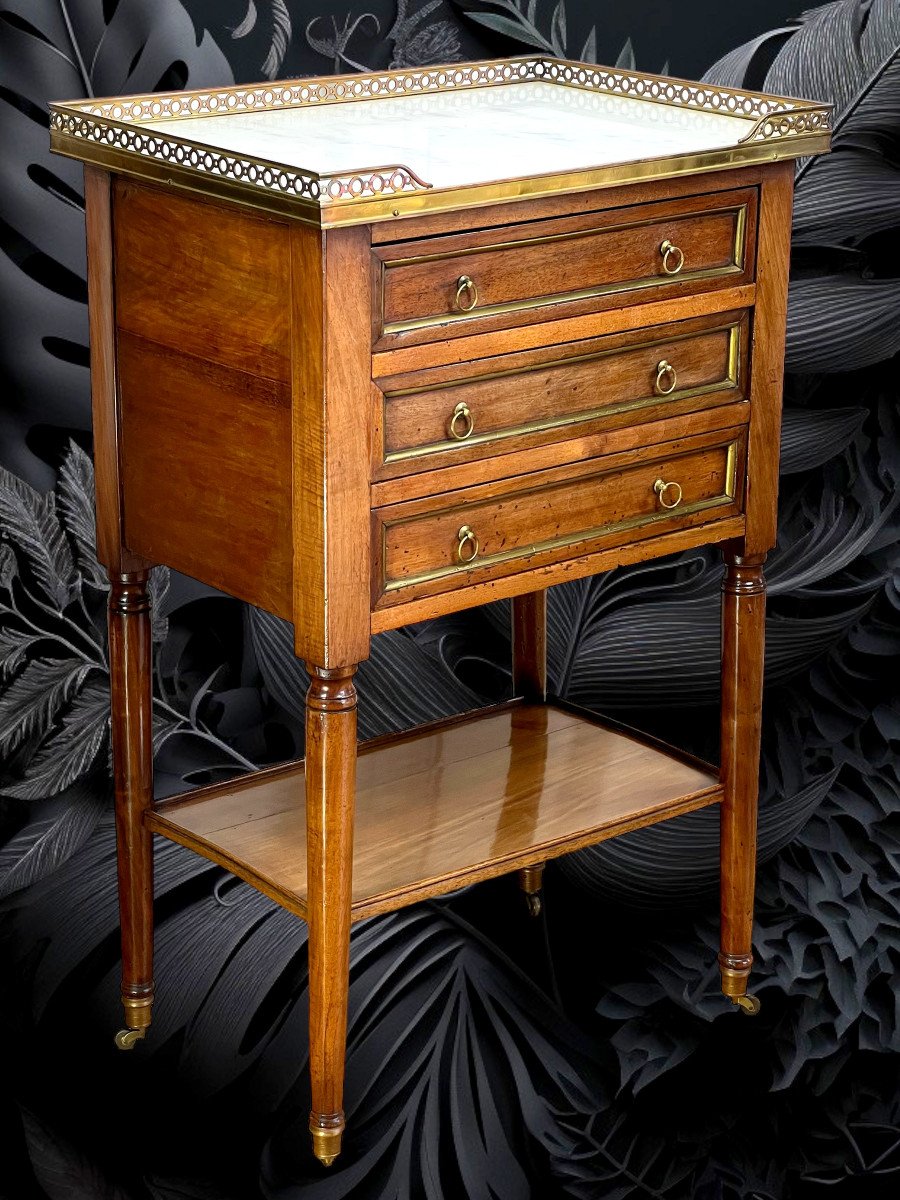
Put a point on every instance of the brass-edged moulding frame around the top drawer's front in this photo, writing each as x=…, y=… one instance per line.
x=707, y=273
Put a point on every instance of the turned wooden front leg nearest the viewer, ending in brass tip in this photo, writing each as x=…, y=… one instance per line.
x=331, y=800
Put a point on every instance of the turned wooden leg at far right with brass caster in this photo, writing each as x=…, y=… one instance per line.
x=743, y=640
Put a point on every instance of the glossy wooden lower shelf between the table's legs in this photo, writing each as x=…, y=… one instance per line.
x=446, y=806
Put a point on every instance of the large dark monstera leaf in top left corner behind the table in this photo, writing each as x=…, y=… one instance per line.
x=61, y=50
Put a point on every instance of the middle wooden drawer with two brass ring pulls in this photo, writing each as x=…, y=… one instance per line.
x=433, y=419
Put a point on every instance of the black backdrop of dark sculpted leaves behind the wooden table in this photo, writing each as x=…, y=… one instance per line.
x=586, y=1054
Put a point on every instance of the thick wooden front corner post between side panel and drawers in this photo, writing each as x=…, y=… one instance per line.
x=332, y=443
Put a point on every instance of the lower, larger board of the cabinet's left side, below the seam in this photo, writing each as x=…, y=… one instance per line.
x=207, y=481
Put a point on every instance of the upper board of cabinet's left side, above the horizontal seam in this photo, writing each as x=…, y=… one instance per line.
x=206, y=279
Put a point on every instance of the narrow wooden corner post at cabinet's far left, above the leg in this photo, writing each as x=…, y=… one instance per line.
x=112, y=550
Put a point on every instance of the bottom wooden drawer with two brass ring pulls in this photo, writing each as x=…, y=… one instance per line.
x=464, y=537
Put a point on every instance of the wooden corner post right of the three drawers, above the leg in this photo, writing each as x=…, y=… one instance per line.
x=769, y=358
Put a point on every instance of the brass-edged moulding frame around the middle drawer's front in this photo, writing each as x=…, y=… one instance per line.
x=730, y=382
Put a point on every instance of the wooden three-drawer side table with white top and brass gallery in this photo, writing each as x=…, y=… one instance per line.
x=363, y=397
